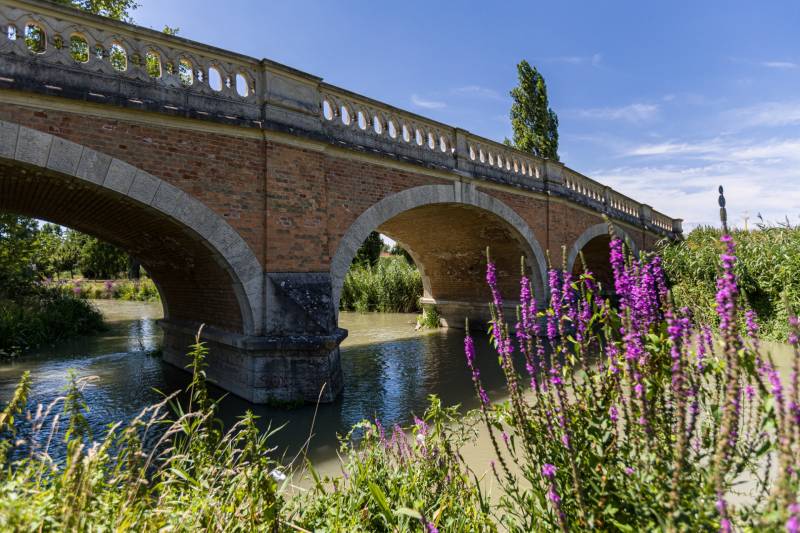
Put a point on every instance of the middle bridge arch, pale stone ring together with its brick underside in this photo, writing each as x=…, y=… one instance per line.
x=446, y=229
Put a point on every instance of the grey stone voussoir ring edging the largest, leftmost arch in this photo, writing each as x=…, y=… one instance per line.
x=34, y=147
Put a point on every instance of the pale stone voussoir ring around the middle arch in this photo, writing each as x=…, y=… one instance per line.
x=457, y=193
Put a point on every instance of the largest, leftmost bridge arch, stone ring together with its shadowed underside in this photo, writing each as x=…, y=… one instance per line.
x=204, y=270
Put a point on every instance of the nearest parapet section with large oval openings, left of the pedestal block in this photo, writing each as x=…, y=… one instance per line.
x=127, y=65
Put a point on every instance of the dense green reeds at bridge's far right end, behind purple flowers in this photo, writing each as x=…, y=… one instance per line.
x=768, y=270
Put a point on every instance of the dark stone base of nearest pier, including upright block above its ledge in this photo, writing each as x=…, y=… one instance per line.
x=298, y=359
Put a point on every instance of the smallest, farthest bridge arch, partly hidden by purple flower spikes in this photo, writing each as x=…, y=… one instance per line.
x=594, y=244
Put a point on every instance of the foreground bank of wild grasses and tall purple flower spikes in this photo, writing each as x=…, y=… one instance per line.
x=622, y=419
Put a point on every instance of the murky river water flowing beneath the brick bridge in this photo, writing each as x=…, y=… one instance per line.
x=389, y=371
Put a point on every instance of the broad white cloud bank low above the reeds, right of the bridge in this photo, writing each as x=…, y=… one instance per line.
x=759, y=176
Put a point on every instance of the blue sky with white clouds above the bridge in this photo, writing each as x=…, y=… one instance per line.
x=663, y=101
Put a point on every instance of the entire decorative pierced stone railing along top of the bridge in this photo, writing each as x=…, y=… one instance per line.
x=53, y=49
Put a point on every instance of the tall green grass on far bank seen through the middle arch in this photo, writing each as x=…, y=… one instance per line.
x=392, y=285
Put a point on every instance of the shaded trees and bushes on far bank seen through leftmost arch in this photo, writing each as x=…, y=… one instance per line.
x=41, y=302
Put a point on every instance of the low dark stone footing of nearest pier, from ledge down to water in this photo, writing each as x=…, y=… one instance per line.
x=263, y=369
